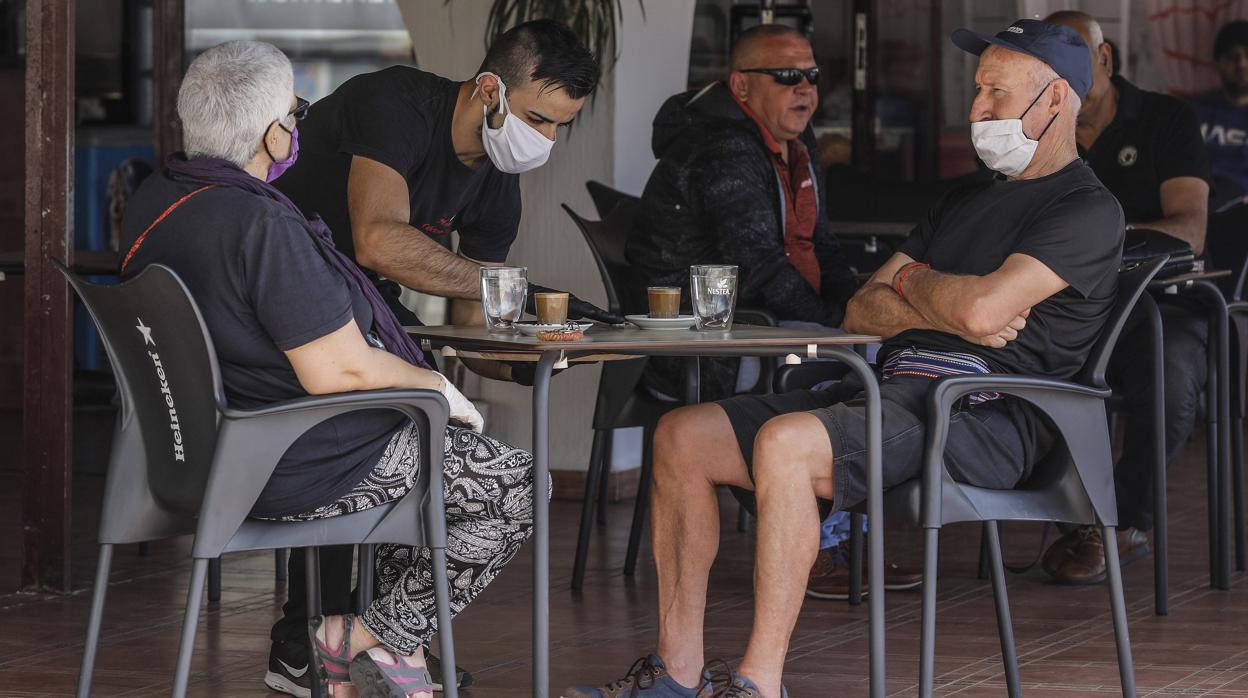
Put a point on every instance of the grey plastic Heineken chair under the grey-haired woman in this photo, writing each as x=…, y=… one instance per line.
x=184, y=463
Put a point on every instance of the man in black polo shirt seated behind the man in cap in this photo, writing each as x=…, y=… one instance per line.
x=1146, y=148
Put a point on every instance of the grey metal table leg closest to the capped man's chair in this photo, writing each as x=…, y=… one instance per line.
x=874, y=508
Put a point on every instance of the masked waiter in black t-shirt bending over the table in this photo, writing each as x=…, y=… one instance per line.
x=395, y=162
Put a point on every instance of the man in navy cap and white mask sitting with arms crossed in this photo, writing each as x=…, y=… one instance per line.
x=1014, y=275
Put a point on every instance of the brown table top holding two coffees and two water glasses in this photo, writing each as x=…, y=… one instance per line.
x=603, y=339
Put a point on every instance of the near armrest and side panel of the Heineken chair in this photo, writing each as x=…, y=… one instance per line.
x=250, y=444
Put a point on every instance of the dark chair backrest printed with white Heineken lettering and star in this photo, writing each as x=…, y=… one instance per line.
x=169, y=380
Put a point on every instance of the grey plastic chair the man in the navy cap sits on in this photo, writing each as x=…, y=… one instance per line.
x=1074, y=484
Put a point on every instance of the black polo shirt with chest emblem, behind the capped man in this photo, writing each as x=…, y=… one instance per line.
x=1154, y=138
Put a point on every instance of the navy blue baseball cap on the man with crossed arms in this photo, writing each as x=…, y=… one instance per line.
x=1060, y=47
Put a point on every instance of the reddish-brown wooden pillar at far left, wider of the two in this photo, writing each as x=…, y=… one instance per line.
x=48, y=344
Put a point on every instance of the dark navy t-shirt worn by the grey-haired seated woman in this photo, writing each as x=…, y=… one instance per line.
x=264, y=288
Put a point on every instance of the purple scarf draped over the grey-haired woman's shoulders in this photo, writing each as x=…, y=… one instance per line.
x=214, y=170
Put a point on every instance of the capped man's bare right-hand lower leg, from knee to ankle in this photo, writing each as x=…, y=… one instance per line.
x=793, y=465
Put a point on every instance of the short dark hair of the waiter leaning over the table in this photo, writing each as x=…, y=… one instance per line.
x=546, y=52
